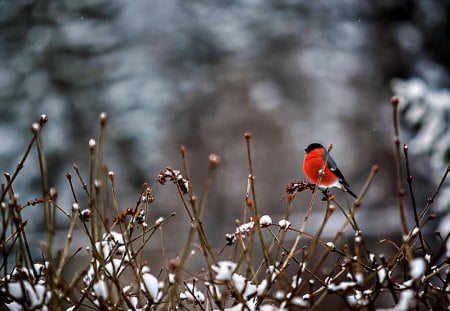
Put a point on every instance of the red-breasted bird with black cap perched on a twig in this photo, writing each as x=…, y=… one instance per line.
x=314, y=162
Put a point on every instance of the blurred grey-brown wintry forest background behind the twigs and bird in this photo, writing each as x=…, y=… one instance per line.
x=201, y=73
